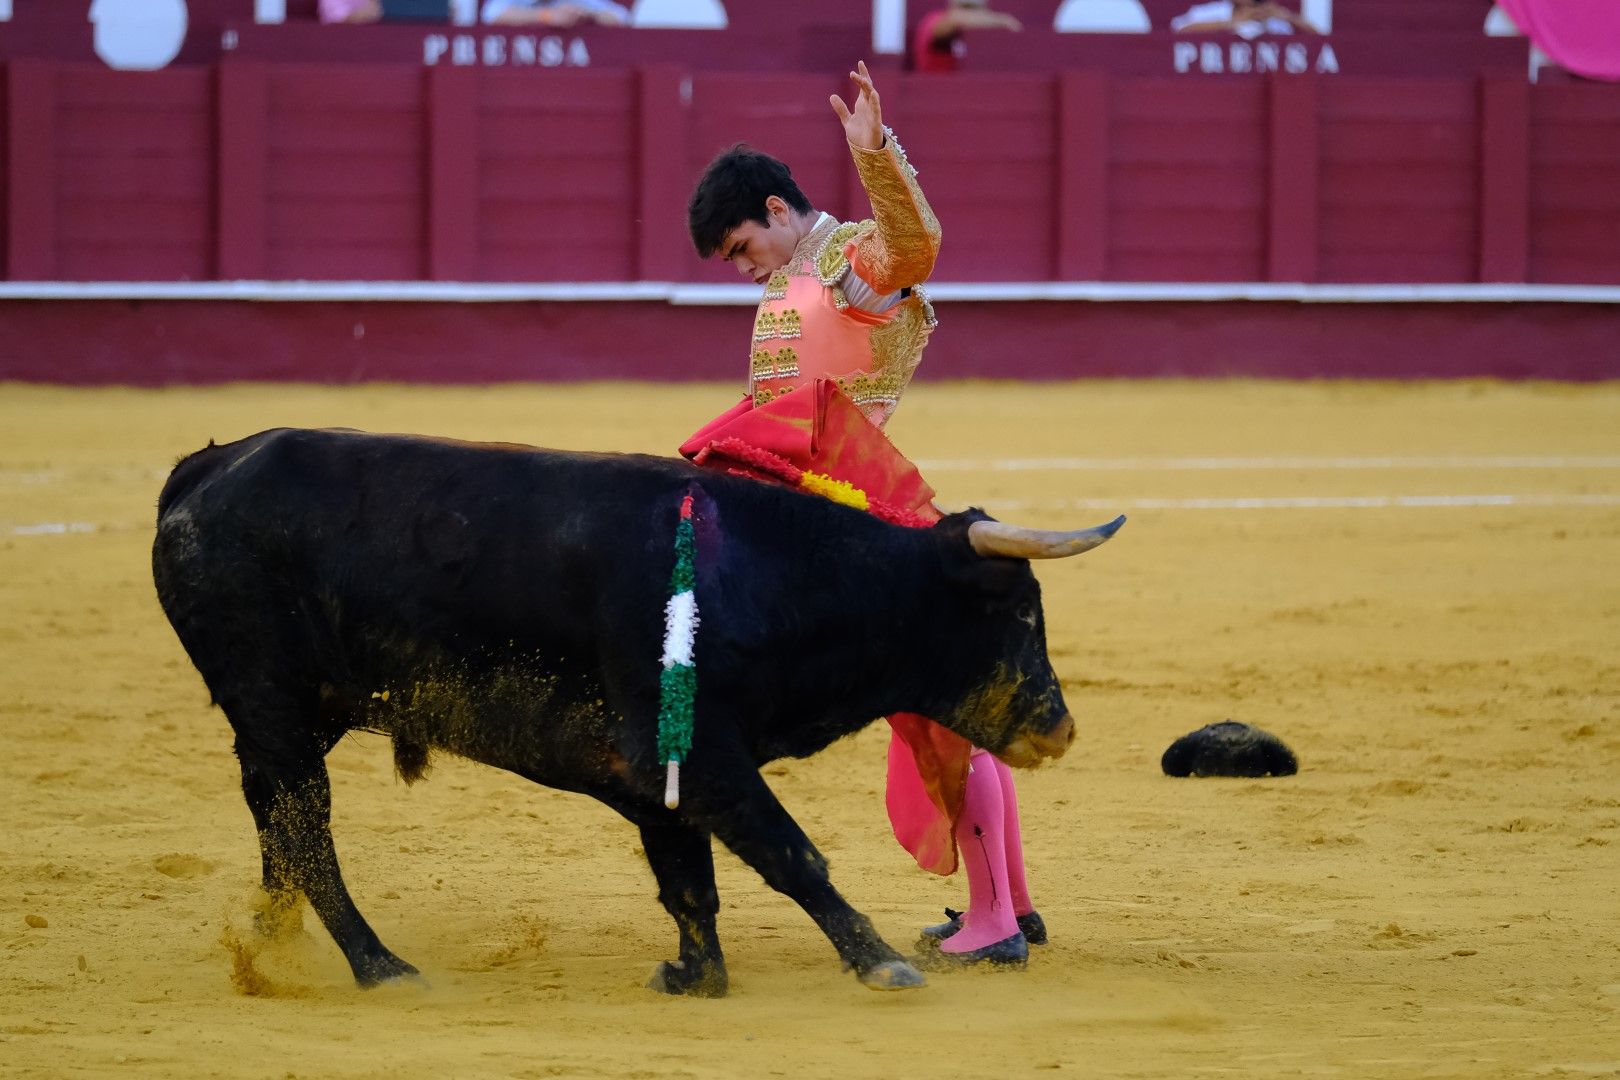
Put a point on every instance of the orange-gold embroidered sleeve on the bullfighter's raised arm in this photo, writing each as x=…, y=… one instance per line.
x=902, y=250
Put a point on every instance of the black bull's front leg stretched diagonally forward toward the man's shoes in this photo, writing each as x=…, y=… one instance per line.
x=761, y=831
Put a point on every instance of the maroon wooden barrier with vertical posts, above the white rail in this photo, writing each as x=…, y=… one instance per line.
x=459, y=174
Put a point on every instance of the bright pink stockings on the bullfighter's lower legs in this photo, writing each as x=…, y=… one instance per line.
x=992, y=853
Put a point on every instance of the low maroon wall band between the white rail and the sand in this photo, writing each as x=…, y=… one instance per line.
x=155, y=342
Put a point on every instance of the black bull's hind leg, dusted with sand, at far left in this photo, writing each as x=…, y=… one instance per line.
x=291, y=797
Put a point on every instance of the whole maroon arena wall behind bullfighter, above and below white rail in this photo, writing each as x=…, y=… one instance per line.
x=1049, y=184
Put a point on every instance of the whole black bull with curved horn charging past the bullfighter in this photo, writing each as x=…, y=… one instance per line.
x=508, y=605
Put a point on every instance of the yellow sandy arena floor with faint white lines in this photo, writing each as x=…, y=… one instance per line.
x=1436, y=895
